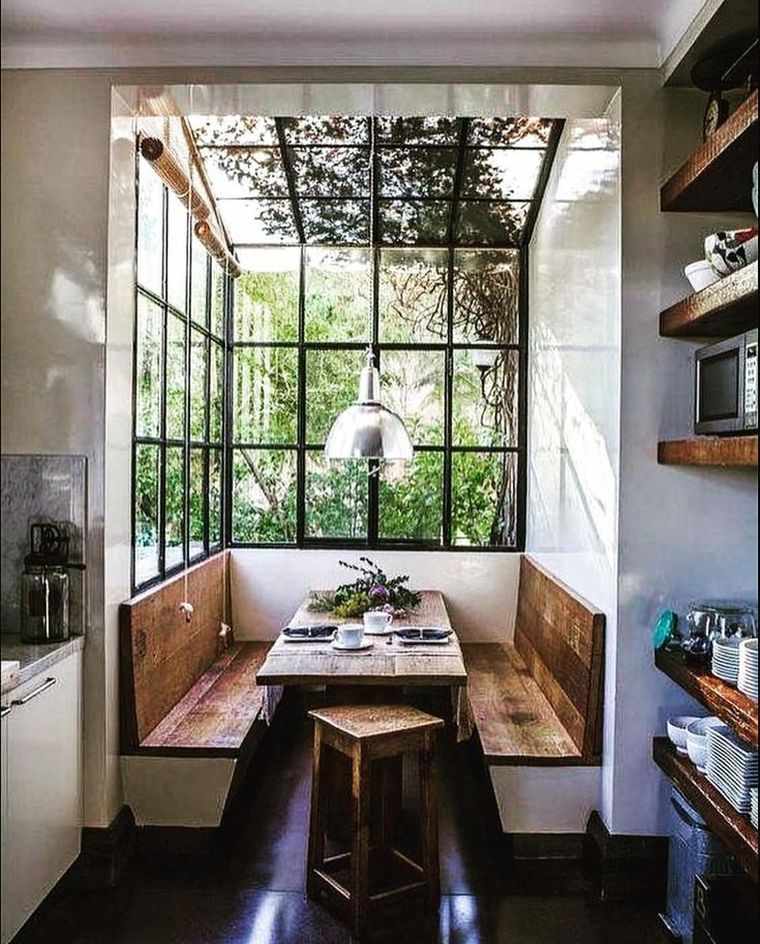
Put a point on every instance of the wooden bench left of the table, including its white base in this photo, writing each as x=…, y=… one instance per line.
x=185, y=701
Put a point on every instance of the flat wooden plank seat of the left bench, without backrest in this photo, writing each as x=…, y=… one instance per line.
x=217, y=715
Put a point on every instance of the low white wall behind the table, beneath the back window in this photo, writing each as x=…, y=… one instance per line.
x=267, y=587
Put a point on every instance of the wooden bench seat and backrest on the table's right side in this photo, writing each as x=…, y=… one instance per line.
x=538, y=702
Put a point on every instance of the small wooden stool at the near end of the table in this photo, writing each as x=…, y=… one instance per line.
x=373, y=874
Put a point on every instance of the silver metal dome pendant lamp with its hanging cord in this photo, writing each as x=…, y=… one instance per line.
x=367, y=429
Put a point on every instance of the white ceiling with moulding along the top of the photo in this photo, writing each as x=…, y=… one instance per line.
x=362, y=32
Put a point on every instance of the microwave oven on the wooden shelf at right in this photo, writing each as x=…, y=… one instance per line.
x=726, y=386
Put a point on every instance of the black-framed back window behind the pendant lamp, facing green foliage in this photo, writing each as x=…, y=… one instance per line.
x=449, y=337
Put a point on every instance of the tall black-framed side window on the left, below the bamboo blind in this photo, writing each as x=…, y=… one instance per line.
x=179, y=374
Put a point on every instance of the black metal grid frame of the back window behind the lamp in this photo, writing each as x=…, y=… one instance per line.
x=302, y=447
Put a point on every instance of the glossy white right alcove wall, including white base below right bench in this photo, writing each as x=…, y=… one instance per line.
x=573, y=422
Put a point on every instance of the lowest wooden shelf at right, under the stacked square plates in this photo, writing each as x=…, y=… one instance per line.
x=735, y=829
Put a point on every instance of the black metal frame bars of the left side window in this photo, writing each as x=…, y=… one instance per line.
x=164, y=442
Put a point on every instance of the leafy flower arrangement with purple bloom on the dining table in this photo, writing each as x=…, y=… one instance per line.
x=372, y=590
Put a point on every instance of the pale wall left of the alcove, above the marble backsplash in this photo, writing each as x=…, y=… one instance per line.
x=54, y=266
